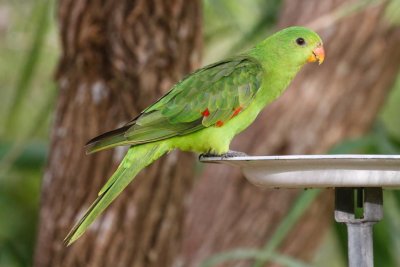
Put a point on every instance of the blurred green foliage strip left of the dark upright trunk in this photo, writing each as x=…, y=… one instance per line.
x=28, y=49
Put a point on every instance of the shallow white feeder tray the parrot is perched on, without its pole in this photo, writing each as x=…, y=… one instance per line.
x=317, y=171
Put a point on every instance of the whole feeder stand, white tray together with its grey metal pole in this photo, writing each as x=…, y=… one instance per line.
x=358, y=181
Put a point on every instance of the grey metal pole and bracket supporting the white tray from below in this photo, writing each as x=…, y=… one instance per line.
x=359, y=226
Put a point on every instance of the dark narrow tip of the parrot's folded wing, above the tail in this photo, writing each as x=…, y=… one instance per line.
x=107, y=140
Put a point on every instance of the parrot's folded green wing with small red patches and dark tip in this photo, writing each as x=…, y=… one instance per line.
x=209, y=97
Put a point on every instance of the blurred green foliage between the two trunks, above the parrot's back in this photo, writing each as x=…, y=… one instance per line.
x=231, y=26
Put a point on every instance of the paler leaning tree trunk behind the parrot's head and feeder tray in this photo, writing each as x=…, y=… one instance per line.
x=325, y=104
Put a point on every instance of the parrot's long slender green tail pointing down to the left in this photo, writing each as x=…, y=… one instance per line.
x=135, y=160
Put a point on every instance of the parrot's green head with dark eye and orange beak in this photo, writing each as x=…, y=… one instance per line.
x=297, y=45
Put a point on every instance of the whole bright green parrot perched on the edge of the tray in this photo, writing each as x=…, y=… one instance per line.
x=205, y=110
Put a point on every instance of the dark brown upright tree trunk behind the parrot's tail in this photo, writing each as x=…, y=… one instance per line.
x=117, y=57
